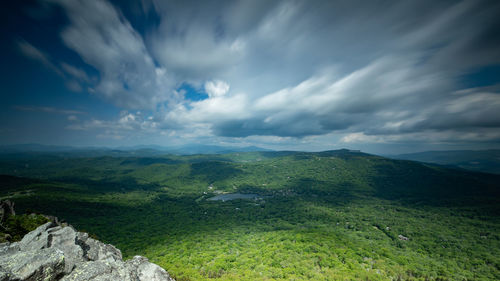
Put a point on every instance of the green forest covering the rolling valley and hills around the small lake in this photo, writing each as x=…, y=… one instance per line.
x=333, y=215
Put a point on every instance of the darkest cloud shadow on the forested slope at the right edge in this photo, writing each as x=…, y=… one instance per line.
x=413, y=182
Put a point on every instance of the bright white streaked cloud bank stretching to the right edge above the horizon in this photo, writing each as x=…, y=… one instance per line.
x=389, y=97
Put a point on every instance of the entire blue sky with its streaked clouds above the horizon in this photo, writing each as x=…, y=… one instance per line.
x=380, y=76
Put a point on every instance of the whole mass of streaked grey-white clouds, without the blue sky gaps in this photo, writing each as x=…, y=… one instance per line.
x=366, y=70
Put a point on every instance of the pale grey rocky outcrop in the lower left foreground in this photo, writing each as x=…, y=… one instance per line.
x=55, y=252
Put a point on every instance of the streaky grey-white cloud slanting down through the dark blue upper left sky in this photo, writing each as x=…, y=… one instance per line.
x=105, y=40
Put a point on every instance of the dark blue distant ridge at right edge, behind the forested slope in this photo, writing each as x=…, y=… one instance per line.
x=475, y=160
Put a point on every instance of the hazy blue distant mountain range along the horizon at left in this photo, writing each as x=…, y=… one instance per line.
x=127, y=150
